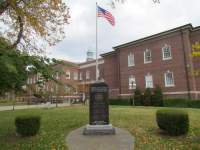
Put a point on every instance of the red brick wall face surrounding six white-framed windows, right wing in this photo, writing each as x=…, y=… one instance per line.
x=158, y=66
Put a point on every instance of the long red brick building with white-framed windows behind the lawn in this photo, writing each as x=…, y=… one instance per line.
x=162, y=59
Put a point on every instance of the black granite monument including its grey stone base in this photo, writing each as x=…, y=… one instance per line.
x=99, y=111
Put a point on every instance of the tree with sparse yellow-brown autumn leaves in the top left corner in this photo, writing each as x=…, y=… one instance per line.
x=33, y=24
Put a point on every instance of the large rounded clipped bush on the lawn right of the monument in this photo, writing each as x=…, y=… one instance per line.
x=174, y=122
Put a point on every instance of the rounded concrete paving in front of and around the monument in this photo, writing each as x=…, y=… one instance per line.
x=122, y=140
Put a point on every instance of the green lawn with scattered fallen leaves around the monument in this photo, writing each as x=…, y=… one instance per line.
x=57, y=123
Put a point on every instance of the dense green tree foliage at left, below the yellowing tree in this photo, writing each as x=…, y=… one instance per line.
x=16, y=66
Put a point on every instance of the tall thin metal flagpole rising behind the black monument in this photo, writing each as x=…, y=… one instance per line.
x=96, y=42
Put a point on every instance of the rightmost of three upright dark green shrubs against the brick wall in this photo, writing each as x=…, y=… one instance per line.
x=157, y=97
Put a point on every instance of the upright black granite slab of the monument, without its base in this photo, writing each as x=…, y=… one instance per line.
x=99, y=109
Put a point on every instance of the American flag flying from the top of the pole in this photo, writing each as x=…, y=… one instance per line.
x=106, y=14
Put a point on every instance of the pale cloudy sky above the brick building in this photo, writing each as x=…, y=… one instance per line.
x=134, y=19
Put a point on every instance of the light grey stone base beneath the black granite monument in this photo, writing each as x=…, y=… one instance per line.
x=99, y=130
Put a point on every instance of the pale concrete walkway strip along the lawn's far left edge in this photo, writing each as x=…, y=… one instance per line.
x=3, y=108
